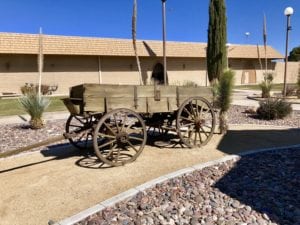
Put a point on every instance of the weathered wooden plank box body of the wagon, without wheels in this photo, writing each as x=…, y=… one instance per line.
x=141, y=99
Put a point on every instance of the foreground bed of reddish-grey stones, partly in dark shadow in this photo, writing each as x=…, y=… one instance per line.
x=259, y=189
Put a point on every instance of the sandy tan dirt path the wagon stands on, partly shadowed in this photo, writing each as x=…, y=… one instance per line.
x=37, y=187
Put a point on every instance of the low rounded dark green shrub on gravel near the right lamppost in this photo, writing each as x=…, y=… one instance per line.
x=274, y=109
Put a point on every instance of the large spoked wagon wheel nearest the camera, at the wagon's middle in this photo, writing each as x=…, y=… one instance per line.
x=119, y=137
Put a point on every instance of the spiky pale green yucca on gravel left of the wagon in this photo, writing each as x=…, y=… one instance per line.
x=35, y=105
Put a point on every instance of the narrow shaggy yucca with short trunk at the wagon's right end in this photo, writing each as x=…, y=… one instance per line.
x=224, y=98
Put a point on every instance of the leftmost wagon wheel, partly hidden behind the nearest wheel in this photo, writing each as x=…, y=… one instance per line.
x=81, y=127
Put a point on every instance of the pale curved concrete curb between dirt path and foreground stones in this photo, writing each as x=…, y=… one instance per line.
x=133, y=191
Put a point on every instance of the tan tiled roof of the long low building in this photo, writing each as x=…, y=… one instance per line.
x=14, y=43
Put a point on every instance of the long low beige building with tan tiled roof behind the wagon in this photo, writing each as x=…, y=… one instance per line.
x=70, y=61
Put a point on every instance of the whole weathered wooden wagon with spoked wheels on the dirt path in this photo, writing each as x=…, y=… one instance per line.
x=117, y=118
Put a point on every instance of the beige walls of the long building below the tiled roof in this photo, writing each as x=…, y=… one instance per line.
x=67, y=71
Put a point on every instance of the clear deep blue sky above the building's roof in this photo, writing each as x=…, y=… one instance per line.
x=186, y=20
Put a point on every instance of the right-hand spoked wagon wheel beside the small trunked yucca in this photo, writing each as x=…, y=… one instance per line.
x=195, y=122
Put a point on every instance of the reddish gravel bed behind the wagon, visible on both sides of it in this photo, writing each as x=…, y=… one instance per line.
x=18, y=135
